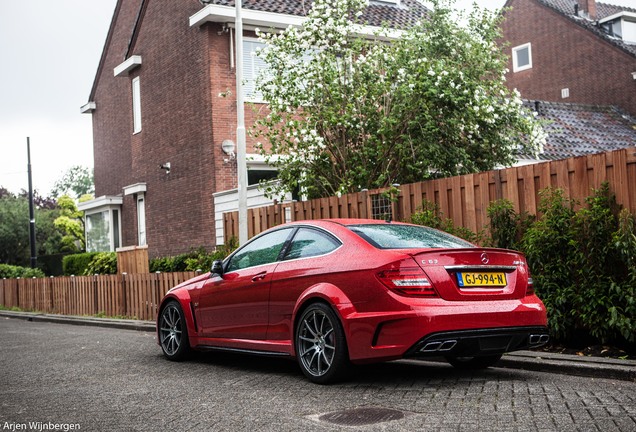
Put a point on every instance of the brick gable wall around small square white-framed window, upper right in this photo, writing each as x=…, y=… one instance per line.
x=565, y=55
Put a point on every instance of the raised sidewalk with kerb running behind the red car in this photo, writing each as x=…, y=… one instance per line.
x=596, y=367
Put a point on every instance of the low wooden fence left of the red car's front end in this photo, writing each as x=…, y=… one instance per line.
x=129, y=295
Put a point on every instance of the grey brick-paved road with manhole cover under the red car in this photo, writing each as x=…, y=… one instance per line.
x=108, y=379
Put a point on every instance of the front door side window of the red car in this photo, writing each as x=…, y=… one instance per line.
x=263, y=250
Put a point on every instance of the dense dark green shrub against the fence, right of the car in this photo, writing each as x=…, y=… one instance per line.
x=583, y=266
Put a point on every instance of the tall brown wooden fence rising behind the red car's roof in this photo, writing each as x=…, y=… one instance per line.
x=465, y=199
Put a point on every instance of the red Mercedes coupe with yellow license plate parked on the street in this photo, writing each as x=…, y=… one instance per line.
x=335, y=292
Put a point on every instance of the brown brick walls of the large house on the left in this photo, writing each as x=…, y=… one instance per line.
x=184, y=122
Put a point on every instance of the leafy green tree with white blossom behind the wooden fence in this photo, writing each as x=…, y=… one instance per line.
x=348, y=111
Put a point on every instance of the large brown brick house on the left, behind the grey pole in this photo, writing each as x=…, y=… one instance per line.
x=163, y=107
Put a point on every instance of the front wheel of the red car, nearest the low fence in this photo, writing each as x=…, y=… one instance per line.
x=173, y=332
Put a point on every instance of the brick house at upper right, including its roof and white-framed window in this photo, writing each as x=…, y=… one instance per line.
x=573, y=51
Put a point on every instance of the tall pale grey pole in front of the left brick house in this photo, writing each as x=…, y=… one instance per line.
x=240, y=128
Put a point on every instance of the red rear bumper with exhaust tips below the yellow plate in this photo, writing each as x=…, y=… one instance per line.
x=446, y=328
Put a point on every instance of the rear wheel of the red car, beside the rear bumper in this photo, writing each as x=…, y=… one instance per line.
x=321, y=347
